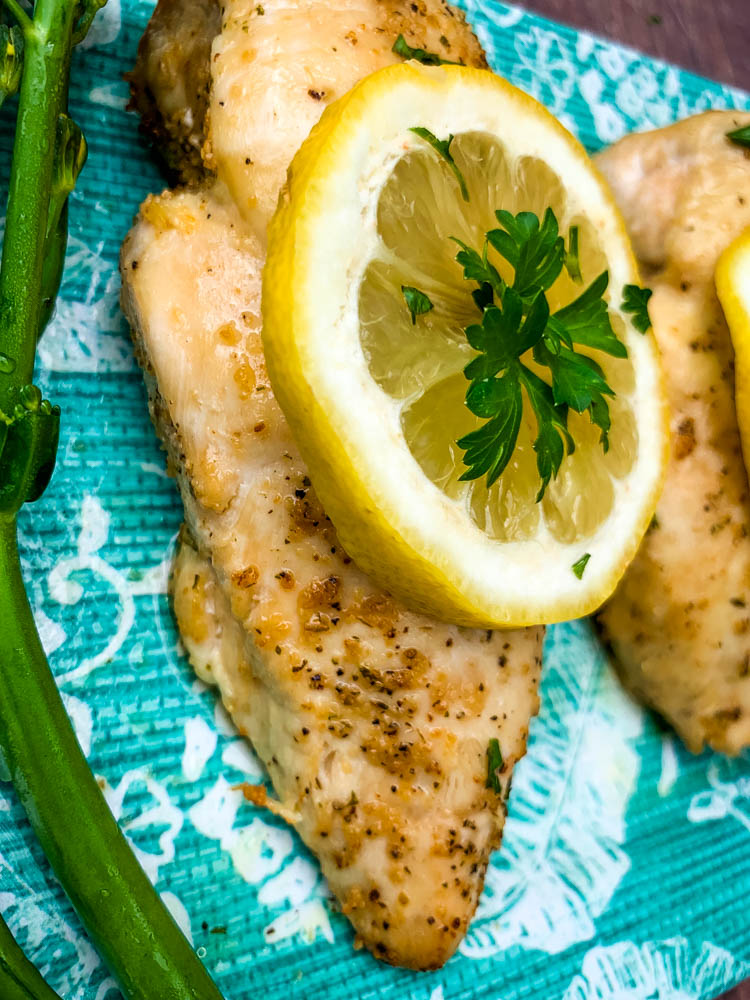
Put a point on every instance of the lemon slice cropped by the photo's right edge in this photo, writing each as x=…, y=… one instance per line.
x=733, y=286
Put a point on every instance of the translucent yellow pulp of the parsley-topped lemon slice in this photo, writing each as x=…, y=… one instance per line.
x=421, y=364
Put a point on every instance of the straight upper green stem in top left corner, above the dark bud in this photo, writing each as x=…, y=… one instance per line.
x=43, y=97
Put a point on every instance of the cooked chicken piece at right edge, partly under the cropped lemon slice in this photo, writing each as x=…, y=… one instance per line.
x=679, y=624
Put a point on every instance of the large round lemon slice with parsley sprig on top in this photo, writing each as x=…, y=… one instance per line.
x=376, y=401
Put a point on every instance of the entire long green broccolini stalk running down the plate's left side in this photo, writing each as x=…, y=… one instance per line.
x=134, y=933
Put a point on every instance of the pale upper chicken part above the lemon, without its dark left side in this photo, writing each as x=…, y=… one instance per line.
x=276, y=66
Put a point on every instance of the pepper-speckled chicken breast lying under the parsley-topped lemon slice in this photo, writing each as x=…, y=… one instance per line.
x=374, y=722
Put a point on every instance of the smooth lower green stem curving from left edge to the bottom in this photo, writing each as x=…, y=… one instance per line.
x=129, y=925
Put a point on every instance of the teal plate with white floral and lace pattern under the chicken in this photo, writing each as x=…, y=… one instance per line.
x=625, y=868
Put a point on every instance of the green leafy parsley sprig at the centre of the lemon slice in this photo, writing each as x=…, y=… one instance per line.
x=517, y=320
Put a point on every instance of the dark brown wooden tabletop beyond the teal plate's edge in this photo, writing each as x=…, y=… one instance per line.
x=711, y=37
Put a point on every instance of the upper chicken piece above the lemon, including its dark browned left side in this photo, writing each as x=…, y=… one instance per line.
x=274, y=68
